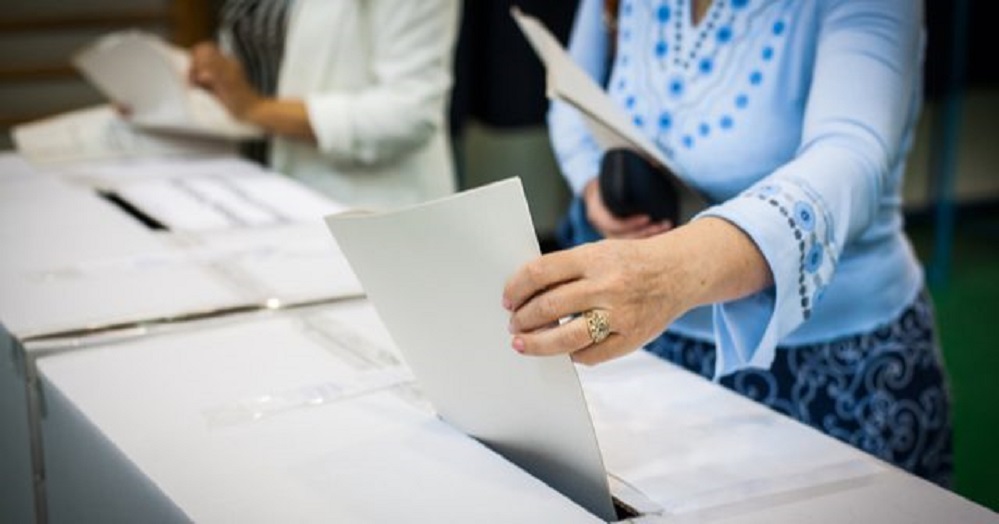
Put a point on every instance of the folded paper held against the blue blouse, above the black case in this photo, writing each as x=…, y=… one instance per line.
x=608, y=124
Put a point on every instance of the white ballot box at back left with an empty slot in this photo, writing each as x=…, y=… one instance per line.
x=78, y=263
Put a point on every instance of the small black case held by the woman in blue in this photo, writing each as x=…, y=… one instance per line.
x=631, y=185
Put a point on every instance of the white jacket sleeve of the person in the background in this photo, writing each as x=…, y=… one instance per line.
x=406, y=105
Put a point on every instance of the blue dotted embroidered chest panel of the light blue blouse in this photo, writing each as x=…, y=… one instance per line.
x=673, y=67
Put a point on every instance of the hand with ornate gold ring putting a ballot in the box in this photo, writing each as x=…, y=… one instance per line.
x=632, y=281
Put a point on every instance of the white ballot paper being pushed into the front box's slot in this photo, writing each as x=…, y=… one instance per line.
x=435, y=274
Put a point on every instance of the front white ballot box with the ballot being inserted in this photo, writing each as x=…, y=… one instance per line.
x=311, y=415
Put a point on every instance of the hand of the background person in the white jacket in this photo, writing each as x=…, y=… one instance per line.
x=224, y=77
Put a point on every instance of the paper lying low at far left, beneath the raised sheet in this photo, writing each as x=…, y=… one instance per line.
x=99, y=133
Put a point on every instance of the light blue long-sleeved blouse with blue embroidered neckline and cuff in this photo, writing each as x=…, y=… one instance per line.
x=796, y=118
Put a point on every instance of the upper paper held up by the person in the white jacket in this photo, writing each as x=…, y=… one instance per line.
x=143, y=72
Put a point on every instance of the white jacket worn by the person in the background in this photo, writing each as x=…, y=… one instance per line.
x=376, y=77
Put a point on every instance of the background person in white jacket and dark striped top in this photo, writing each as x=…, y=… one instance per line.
x=352, y=94
